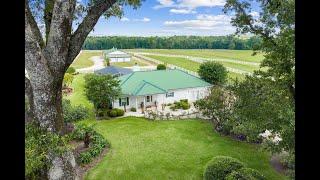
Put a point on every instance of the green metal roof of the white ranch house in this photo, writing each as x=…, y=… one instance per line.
x=157, y=82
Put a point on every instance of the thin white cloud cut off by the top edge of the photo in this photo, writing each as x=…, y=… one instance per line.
x=191, y=4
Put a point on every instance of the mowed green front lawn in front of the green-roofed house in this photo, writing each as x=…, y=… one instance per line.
x=142, y=149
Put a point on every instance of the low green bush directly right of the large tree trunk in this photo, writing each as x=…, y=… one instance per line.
x=73, y=113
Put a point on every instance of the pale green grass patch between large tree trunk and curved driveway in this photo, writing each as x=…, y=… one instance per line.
x=83, y=59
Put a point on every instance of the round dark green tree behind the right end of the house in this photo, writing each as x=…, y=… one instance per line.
x=213, y=72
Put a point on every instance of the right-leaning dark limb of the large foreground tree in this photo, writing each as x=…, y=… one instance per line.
x=88, y=23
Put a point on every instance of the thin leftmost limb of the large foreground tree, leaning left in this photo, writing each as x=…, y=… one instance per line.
x=33, y=25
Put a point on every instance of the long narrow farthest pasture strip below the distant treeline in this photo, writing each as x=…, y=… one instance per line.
x=240, y=55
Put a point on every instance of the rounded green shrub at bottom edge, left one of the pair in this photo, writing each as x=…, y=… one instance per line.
x=220, y=166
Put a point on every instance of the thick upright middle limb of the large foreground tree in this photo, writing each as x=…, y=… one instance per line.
x=59, y=35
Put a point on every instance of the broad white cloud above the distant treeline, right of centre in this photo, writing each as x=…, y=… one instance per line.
x=215, y=24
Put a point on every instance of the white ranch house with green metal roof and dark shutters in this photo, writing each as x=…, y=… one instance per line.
x=154, y=88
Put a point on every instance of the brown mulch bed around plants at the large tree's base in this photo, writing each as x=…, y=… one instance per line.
x=82, y=169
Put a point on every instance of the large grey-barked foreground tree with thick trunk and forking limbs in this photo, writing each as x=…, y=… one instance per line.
x=49, y=53
